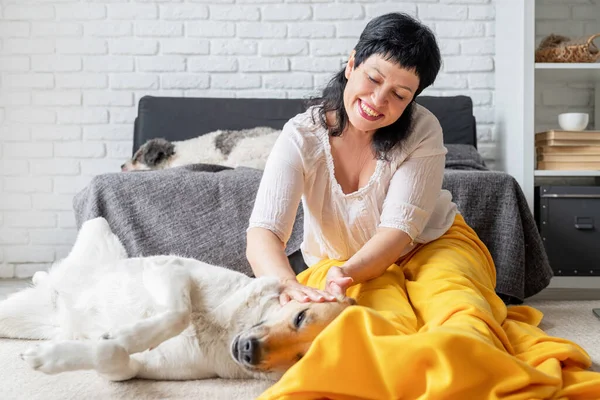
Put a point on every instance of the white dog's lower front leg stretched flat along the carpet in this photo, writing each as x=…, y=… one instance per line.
x=107, y=357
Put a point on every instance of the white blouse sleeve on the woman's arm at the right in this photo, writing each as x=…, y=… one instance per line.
x=417, y=183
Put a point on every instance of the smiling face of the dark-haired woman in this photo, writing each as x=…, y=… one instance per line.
x=377, y=92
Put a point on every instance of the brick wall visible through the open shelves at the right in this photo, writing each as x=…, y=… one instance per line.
x=573, y=18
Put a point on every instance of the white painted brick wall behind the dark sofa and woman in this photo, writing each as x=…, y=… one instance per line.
x=72, y=72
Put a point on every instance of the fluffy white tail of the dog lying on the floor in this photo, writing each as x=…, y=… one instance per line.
x=30, y=313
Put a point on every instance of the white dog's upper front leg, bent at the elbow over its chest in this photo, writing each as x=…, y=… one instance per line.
x=170, y=287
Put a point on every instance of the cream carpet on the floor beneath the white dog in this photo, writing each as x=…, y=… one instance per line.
x=569, y=319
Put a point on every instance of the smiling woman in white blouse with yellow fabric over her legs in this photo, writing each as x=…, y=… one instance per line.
x=367, y=163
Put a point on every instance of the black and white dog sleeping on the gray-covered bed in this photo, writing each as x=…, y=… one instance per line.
x=246, y=147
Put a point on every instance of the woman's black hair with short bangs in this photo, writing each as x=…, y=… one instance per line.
x=398, y=38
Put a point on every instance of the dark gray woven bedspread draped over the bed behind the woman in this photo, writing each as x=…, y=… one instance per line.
x=202, y=211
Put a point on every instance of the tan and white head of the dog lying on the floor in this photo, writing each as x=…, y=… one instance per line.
x=278, y=342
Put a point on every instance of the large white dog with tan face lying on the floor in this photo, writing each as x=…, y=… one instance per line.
x=161, y=317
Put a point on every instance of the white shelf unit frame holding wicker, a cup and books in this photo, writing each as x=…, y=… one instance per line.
x=516, y=74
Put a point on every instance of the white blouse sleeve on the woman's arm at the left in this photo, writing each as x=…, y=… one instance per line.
x=281, y=187
